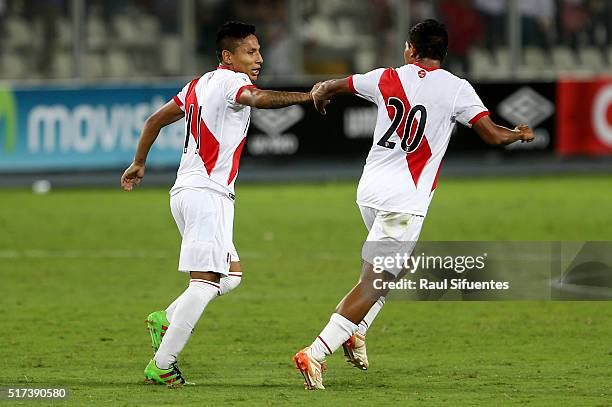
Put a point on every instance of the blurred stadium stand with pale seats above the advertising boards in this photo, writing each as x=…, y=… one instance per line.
x=101, y=42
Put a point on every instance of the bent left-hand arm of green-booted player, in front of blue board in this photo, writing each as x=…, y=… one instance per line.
x=167, y=114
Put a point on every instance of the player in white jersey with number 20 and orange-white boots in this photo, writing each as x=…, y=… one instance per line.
x=418, y=106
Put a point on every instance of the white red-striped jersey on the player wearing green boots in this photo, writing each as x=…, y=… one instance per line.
x=215, y=130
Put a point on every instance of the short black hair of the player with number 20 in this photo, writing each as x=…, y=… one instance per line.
x=430, y=39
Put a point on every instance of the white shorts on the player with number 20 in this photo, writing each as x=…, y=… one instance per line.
x=389, y=234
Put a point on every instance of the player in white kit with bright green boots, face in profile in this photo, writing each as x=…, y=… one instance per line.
x=216, y=108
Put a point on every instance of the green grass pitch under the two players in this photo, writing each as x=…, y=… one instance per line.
x=80, y=270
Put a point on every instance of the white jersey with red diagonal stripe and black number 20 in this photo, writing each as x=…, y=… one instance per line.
x=417, y=110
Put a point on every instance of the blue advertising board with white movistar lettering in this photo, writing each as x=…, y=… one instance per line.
x=86, y=127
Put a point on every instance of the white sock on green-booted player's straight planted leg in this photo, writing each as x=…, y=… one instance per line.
x=186, y=314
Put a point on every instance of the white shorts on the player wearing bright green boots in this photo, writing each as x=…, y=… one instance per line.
x=205, y=219
